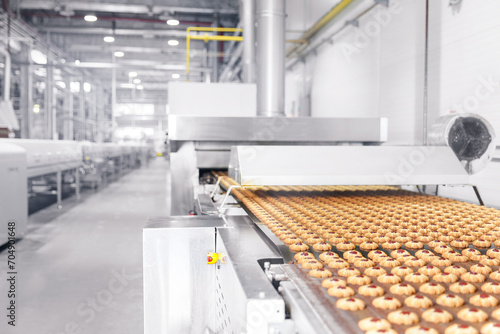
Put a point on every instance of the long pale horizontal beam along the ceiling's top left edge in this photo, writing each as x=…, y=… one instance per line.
x=115, y=7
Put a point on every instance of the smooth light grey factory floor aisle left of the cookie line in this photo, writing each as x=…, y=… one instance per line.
x=80, y=268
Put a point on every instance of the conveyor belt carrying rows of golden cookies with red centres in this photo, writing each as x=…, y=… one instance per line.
x=354, y=215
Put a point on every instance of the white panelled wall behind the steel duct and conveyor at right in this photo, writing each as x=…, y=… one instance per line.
x=378, y=69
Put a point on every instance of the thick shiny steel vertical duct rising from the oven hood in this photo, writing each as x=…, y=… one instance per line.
x=270, y=57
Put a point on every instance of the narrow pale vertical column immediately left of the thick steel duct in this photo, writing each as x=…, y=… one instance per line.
x=248, y=23
